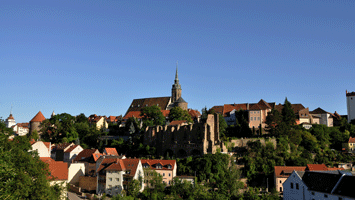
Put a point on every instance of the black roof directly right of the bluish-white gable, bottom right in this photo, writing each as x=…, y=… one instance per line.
x=321, y=182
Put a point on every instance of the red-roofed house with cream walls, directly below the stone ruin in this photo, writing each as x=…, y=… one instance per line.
x=166, y=168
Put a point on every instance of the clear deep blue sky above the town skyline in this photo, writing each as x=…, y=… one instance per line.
x=95, y=57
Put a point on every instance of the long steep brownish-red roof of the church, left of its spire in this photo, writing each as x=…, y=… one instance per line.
x=138, y=104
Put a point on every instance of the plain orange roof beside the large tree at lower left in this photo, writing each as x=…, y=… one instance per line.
x=58, y=169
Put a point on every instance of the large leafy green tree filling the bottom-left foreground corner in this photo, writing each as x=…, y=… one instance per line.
x=22, y=174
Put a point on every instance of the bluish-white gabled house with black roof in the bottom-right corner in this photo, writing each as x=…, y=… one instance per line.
x=319, y=185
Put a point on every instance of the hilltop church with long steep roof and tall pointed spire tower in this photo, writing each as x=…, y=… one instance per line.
x=165, y=103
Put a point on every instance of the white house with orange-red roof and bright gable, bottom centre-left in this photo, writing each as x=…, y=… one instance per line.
x=114, y=174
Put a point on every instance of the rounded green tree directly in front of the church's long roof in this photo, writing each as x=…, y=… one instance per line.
x=152, y=116
